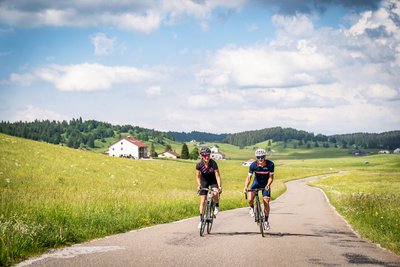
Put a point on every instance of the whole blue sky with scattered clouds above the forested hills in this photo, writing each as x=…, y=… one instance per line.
x=219, y=66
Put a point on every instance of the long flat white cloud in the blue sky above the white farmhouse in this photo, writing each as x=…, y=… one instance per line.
x=86, y=76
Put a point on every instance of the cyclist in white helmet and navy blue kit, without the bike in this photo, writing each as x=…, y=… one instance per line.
x=263, y=178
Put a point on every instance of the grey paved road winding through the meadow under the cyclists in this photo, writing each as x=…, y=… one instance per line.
x=305, y=231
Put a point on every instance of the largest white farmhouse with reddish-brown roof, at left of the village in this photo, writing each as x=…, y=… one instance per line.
x=128, y=147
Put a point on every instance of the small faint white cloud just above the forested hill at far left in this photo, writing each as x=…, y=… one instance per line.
x=31, y=113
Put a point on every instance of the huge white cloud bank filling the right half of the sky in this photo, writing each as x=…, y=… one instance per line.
x=318, y=74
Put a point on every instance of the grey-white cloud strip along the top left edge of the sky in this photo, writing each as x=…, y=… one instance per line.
x=142, y=16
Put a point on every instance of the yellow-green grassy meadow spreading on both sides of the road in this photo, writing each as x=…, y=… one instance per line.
x=54, y=196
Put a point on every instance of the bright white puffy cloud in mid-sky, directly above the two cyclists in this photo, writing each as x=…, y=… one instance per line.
x=264, y=67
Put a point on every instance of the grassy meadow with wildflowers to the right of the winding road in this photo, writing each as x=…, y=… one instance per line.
x=368, y=198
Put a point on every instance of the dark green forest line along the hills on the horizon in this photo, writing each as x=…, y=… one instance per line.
x=77, y=133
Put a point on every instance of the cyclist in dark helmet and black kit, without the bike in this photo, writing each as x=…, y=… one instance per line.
x=207, y=174
